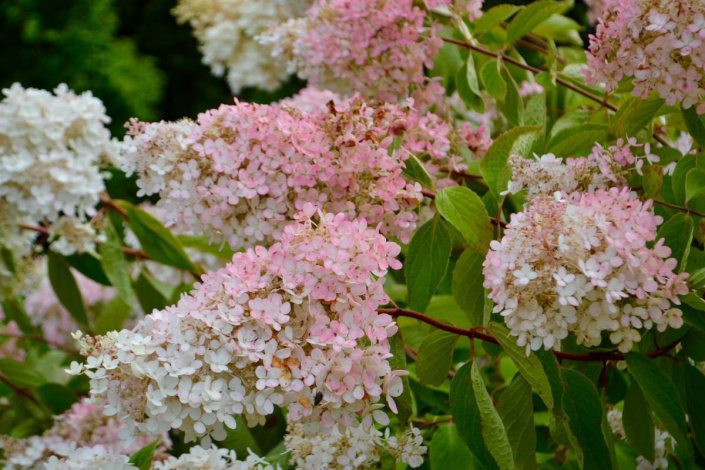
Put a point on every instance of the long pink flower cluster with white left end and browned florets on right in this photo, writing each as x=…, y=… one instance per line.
x=241, y=172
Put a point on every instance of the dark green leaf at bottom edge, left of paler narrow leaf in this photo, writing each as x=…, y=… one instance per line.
x=466, y=415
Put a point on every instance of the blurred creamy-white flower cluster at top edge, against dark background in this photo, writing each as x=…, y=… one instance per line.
x=226, y=31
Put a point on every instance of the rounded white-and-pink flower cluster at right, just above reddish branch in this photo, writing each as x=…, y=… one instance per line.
x=580, y=264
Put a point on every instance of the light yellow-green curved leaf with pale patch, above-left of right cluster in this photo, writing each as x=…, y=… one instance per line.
x=519, y=141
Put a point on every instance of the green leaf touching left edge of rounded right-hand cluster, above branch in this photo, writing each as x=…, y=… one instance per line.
x=467, y=286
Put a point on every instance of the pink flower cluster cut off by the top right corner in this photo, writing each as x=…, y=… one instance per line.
x=660, y=44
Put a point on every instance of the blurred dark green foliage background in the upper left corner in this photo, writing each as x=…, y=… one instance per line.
x=129, y=53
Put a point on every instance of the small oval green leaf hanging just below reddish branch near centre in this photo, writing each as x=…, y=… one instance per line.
x=435, y=357
